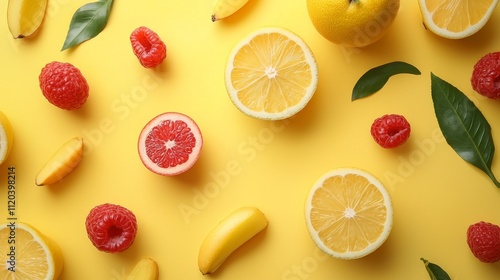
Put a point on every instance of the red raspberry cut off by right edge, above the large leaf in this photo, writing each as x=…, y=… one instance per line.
x=486, y=76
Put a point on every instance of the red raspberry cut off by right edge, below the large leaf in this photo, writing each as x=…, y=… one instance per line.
x=484, y=241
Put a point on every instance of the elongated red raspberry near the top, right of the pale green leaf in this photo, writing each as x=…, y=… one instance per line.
x=148, y=47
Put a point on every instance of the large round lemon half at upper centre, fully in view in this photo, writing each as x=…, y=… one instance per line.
x=271, y=74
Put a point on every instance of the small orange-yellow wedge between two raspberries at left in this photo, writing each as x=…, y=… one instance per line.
x=61, y=163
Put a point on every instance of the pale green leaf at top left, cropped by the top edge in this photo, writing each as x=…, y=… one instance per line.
x=87, y=22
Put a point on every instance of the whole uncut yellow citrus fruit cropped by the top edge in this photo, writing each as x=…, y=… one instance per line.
x=352, y=23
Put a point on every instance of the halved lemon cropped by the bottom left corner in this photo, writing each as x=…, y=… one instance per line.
x=35, y=256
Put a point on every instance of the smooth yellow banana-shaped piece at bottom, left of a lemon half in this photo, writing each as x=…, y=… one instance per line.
x=232, y=232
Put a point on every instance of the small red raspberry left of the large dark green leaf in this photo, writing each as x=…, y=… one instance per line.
x=390, y=131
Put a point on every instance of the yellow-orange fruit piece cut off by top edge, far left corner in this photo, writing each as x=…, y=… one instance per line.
x=24, y=17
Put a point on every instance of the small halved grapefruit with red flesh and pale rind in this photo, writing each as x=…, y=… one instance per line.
x=170, y=144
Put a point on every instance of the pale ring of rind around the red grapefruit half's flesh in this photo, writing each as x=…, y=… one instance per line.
x=178, y=169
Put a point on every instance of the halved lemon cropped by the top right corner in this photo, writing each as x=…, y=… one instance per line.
x=456, y=19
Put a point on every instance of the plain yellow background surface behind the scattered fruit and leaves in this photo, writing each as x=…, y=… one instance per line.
x=244, y=161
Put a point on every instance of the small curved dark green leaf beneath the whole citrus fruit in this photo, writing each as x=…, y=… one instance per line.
x=373, y=80
